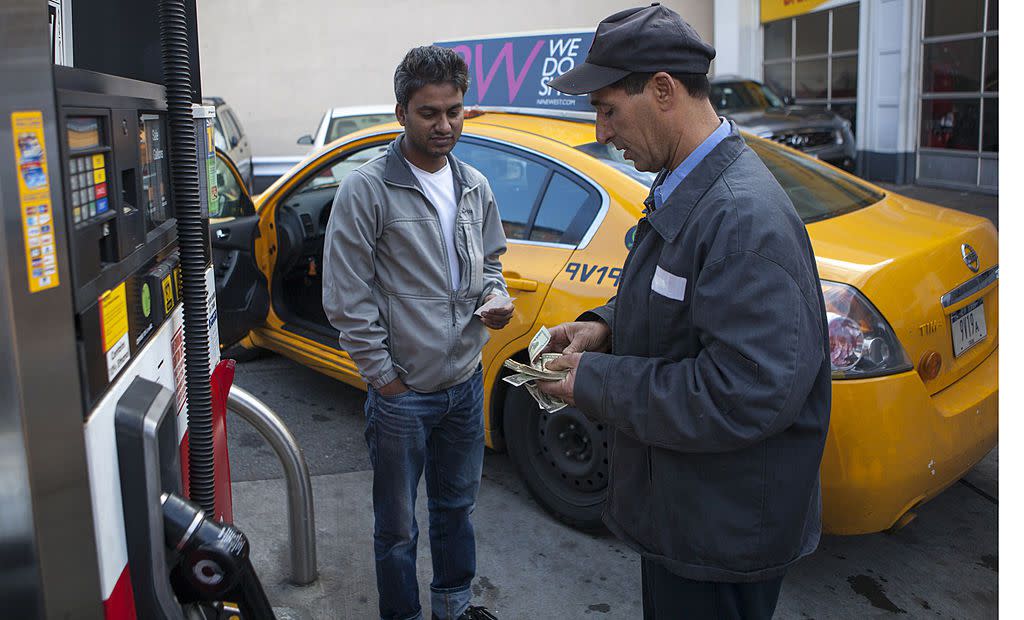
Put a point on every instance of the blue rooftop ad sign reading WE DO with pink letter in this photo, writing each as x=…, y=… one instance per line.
x=514, y=71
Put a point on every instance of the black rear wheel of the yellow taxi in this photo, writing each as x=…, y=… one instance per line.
x=563, y=459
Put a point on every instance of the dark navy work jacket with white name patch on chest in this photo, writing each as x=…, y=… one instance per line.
x=719, y=383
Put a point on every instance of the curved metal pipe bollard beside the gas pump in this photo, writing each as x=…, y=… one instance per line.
x=302, y=528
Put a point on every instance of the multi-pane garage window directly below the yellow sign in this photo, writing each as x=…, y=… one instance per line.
x=814, y=59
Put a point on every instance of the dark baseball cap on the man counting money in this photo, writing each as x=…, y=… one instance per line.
x=647, y=39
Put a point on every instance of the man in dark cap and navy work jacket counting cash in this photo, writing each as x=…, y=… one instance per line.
x=712, y=363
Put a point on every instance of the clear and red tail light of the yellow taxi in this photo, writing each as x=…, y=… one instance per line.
x=861, y=341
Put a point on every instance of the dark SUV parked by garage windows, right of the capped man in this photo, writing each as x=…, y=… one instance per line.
x=757, y=109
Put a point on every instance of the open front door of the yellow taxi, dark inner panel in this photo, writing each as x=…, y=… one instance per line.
x=243, y=296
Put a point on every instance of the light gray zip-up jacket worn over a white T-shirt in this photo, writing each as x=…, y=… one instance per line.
x=388, y=286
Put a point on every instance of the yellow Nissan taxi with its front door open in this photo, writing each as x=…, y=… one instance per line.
x=912, y=292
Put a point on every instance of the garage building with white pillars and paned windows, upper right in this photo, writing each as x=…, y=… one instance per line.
x=918, y=79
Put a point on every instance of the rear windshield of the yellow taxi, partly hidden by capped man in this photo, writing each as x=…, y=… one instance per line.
x=818, y=191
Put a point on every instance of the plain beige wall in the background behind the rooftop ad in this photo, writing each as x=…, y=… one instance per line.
x=281, y=65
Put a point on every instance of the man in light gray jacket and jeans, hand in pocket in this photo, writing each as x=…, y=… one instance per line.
x=412, y=252
